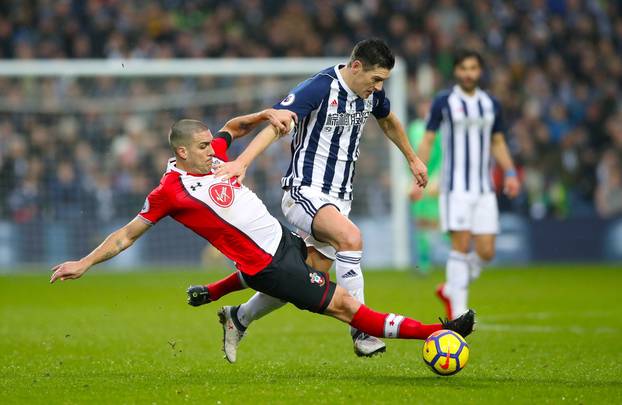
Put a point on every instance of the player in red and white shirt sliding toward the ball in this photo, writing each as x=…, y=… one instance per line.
x=232, y=218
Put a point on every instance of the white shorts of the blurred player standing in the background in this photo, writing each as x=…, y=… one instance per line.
x=477, y=213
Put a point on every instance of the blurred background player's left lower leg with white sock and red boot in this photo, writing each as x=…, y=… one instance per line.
x=454, y=293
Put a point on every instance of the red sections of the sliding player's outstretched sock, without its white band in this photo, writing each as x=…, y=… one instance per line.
x=372, y=323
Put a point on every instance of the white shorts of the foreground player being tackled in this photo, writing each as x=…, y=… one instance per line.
x=300, y=204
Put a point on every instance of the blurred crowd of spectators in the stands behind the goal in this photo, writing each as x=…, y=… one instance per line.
x=554, y=65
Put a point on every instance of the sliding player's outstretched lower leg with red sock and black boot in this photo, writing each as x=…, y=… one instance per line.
x=347, y=309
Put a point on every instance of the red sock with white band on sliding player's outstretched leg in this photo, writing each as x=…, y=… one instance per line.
x=391, y=325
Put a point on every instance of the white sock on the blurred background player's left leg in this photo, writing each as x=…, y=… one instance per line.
x=456, y=287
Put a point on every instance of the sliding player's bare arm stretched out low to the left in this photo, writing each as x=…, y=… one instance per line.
x=114, y=244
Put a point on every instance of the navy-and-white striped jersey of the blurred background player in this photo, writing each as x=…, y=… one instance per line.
x=466, y=124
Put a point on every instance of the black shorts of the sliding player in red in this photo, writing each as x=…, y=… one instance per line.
x=290, y=279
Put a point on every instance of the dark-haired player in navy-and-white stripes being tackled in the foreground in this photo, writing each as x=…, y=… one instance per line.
x=332, y=108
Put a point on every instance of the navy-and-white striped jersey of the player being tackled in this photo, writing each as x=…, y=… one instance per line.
x=325, y=143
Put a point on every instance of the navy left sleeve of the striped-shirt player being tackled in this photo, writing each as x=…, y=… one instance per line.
x=307, y=96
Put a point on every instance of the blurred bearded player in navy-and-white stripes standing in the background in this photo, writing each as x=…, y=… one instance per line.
x=472, y=129
